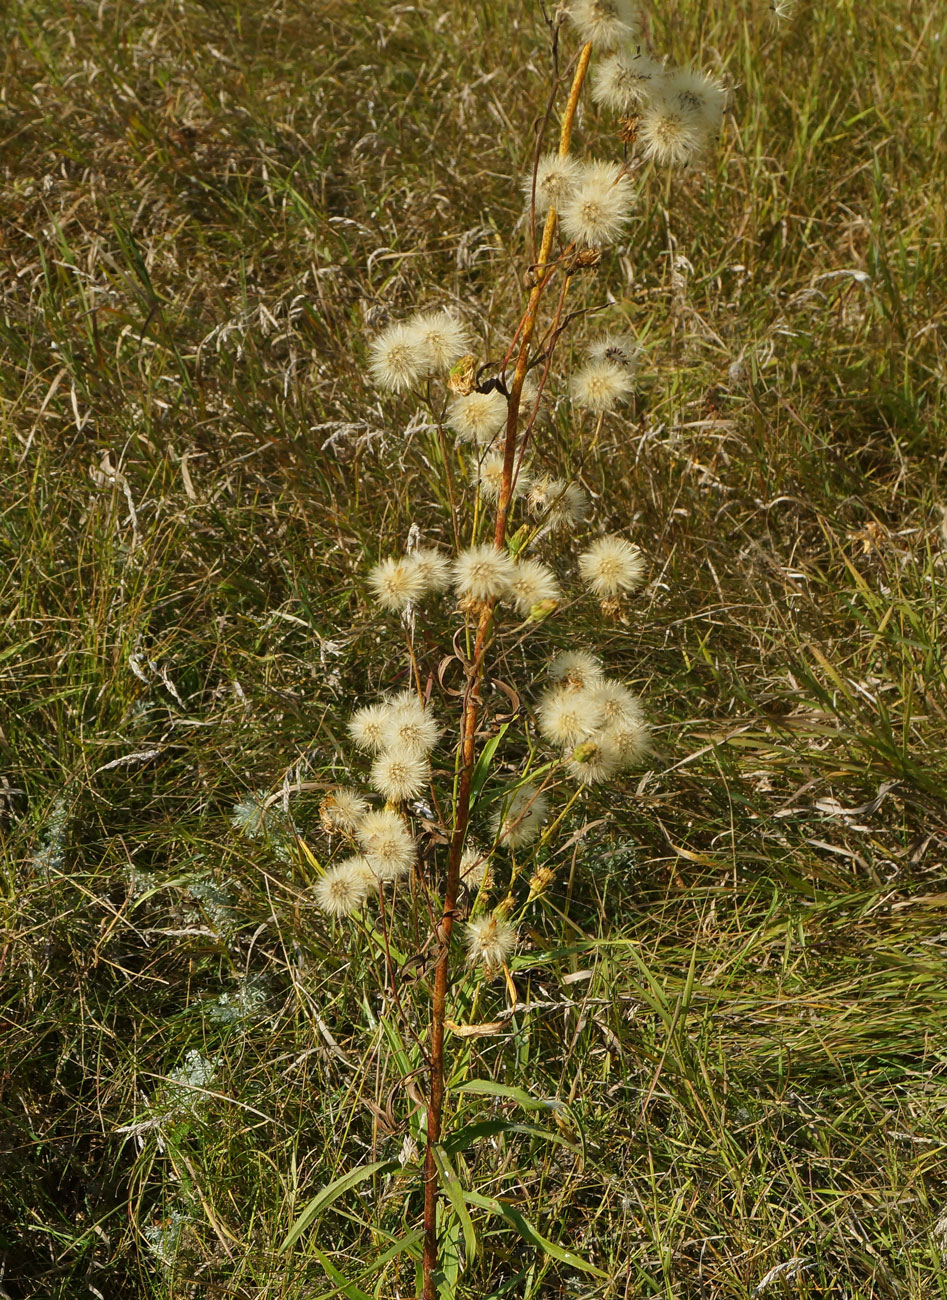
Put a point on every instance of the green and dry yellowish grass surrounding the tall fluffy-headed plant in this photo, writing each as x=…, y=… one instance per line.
x=743, y=1024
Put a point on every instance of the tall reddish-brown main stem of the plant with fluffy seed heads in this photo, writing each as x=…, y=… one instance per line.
x=469, y=722
